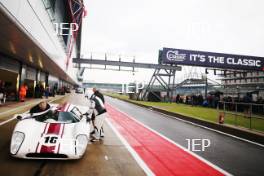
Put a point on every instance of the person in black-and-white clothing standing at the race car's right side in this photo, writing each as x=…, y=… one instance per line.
x=98, y=117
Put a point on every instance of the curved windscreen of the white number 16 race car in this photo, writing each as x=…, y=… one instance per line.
x=59, y=117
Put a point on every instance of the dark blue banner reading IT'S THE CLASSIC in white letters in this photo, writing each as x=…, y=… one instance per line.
x=209, y=59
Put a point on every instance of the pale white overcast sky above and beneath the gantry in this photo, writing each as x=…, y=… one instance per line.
x=139, y=28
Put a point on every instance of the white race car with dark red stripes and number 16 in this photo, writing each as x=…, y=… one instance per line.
x=58, y=133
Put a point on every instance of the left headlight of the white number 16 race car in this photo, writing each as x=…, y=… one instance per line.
x=16, y=142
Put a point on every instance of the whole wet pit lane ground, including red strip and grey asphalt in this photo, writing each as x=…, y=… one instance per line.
x=161, y=151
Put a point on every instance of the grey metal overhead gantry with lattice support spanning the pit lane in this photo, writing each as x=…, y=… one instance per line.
x=162, y=72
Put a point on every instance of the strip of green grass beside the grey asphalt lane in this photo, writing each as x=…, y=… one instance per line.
x=203, y=113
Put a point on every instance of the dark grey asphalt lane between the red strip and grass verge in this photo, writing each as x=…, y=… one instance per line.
x=235, y=156
